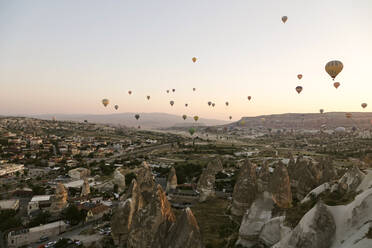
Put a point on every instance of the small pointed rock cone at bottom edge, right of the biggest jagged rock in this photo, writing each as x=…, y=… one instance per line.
x=185, y=232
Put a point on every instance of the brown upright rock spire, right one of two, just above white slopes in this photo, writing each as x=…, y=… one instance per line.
x=280, y=186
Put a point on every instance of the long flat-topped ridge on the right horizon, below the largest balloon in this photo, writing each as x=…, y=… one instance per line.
x=307, y=121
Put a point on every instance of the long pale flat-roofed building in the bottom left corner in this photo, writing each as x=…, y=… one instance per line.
x=32, y=235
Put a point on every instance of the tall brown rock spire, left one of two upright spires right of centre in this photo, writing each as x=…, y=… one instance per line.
x=245, y=189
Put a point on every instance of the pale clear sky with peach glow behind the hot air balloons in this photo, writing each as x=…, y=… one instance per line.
x=65, y=56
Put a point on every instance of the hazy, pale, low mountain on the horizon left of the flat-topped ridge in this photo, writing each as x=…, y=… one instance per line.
x=147, y=120
